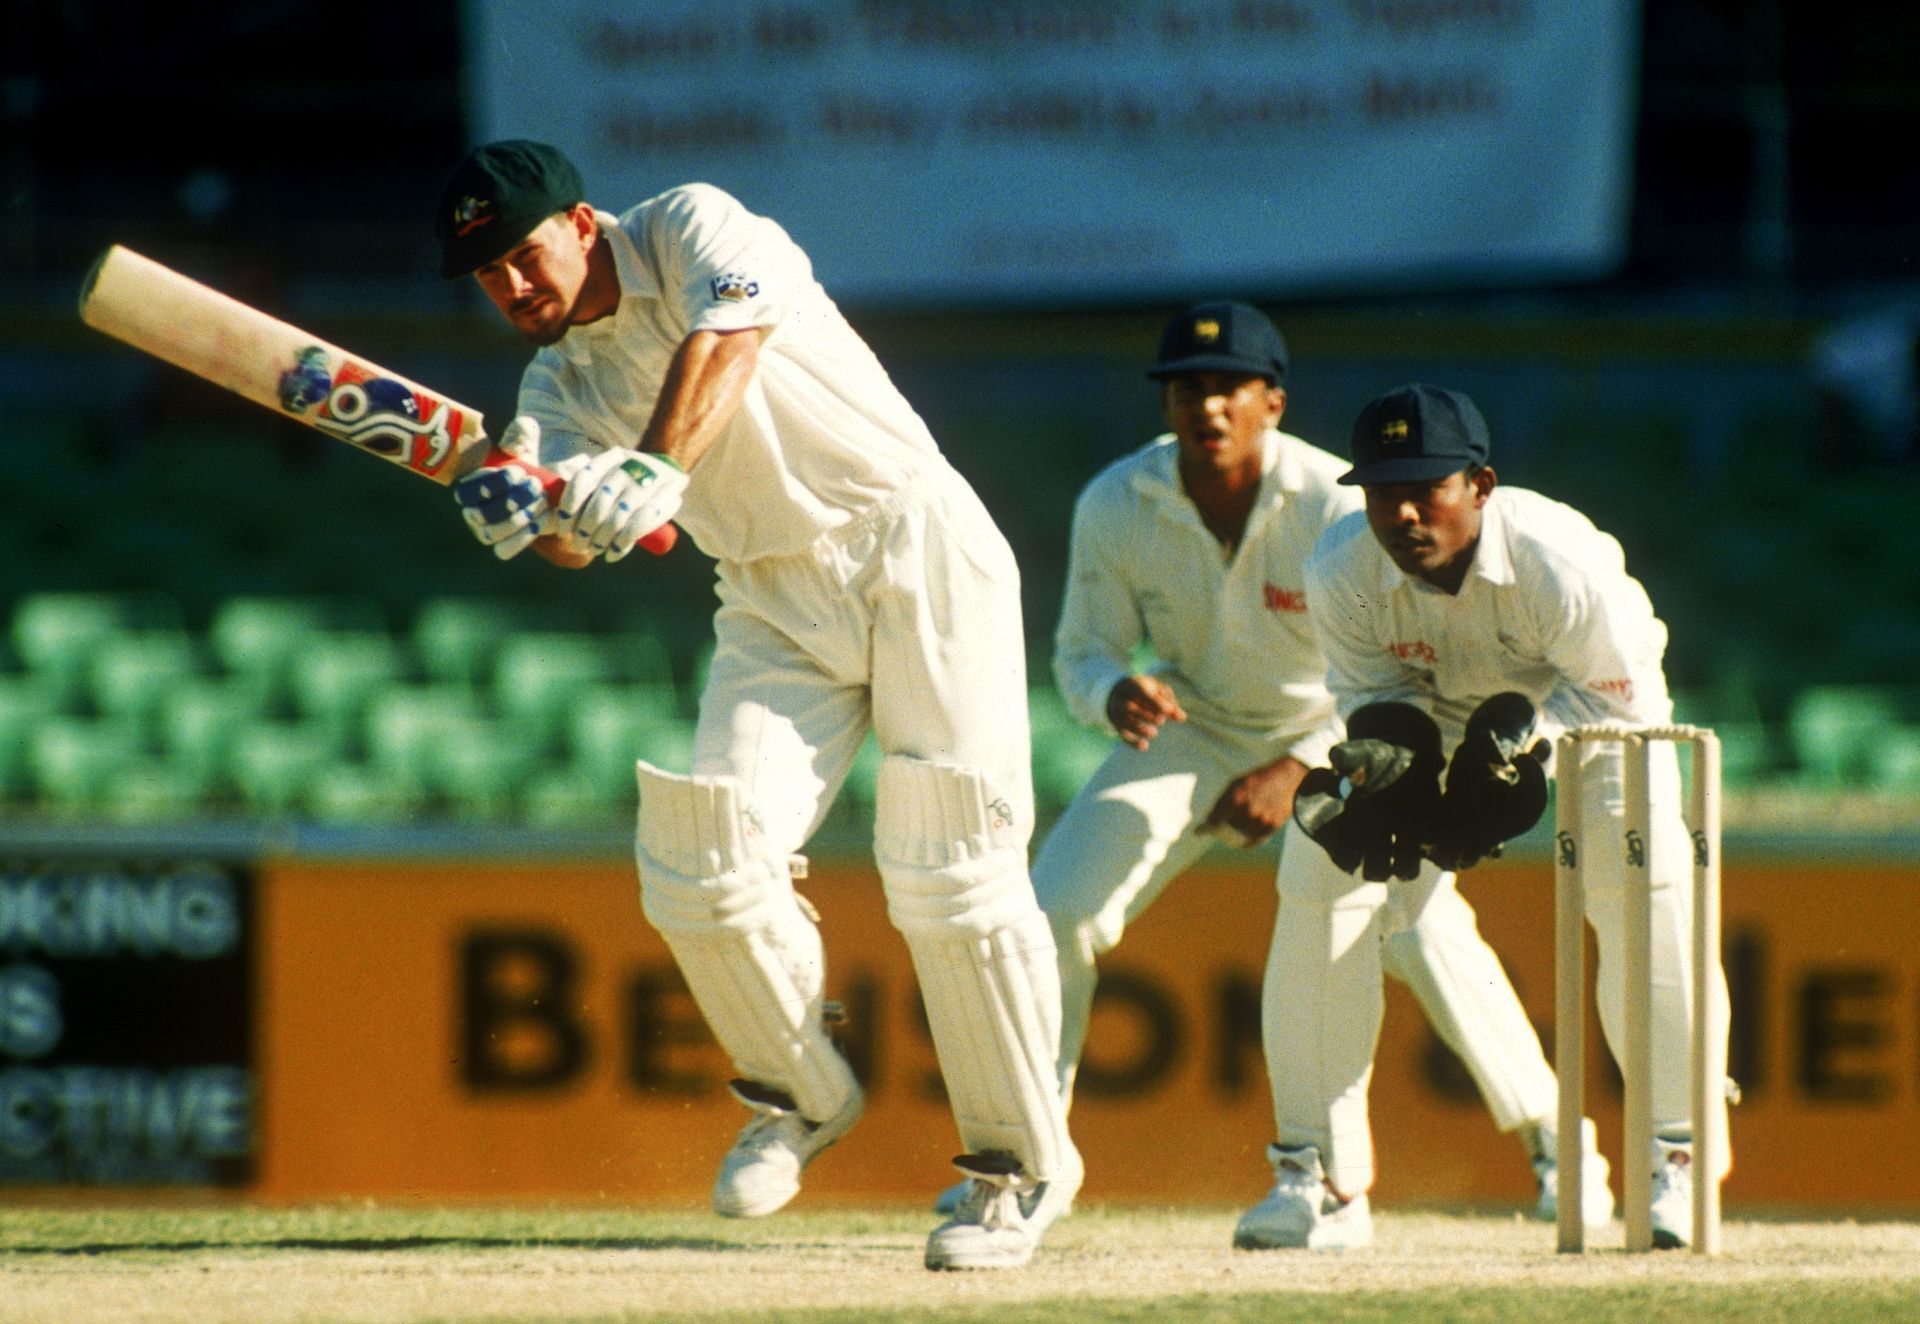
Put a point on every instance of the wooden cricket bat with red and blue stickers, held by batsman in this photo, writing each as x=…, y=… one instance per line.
x=299, y=375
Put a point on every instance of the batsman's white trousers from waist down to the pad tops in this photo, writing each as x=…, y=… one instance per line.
x=907, y=623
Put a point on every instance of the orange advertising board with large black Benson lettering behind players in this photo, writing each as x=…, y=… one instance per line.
x=516, y=1029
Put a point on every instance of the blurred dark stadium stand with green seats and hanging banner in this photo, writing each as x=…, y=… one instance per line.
x=224, y=630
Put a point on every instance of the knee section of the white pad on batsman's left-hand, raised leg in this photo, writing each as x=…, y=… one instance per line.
x=704, y=861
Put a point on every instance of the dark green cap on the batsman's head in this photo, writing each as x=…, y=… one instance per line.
x=498, y=197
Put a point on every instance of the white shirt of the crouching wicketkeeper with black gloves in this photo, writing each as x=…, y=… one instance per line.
x=1547, y=611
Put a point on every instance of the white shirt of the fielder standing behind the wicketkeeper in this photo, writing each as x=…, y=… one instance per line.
x=1234, y=627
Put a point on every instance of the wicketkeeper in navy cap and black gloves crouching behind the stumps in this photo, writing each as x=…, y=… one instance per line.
x=1466, y=627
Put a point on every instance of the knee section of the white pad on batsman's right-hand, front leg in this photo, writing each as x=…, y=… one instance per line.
x=951, y=853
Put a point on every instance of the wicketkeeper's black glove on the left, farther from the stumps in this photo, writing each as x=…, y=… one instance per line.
x=1374, y=809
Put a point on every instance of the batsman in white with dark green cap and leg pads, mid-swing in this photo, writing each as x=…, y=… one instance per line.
x=692, y=371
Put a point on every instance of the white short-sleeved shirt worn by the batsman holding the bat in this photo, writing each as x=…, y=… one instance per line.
x=823, y=433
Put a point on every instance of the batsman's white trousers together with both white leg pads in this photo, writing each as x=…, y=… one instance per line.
x=907, y=621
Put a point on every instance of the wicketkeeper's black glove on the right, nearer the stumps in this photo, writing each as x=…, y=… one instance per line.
x=1497, y=788
